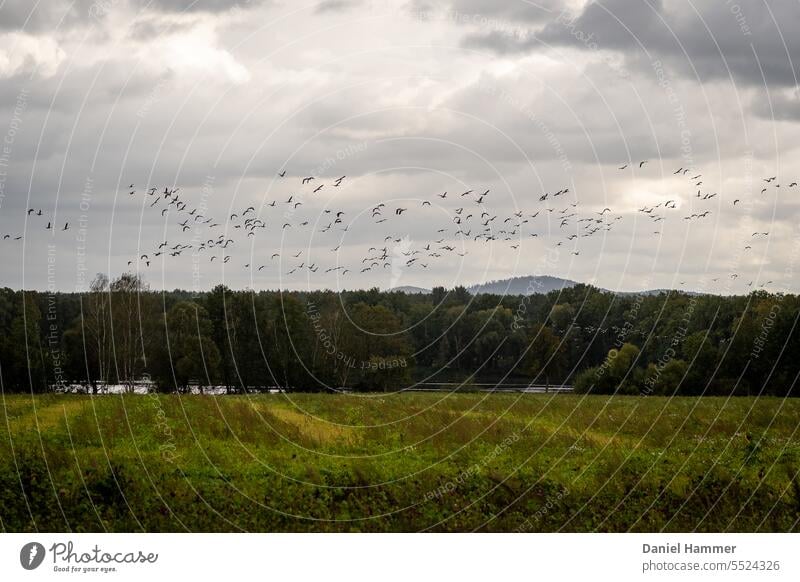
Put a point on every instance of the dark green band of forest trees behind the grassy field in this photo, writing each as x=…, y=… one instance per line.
x=372, y=340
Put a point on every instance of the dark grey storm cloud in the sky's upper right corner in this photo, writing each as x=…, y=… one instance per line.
x=749, y=40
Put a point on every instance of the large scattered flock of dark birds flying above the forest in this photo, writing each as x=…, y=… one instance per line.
x=471, y=221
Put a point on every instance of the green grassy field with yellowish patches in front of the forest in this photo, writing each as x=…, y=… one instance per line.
x=407, y=462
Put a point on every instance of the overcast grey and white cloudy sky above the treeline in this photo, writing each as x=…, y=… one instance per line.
x=408, y=99
